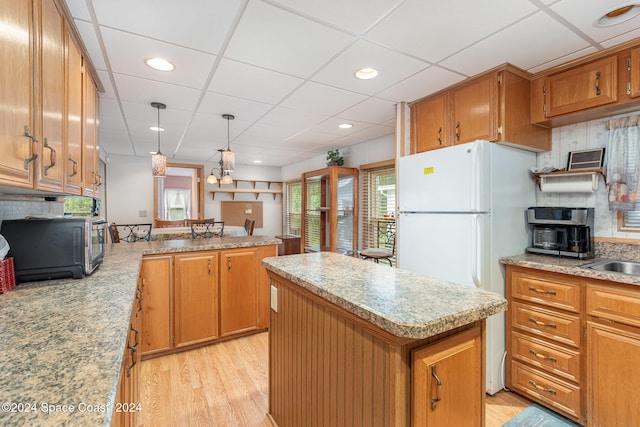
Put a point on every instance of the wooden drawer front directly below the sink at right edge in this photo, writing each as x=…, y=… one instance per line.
x=618, y=304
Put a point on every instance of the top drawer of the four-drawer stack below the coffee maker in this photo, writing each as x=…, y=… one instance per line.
x=550, y=290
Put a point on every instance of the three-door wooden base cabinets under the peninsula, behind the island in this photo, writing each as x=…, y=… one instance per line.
x=196, y=298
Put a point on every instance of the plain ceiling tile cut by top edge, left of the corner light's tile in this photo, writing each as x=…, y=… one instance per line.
x=435, y=29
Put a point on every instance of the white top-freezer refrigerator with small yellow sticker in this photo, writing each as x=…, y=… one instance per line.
x=461, y=208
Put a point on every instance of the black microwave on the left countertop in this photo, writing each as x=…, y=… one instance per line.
x=54, y=248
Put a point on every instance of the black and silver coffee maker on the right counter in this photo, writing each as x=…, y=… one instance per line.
x=561, y=231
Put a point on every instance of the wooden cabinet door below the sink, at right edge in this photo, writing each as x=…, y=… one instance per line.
x=613, y=377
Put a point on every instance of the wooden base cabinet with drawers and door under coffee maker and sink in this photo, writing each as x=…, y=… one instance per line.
x=573, y=345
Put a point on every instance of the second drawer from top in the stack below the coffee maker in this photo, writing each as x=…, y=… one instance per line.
x=563, y=328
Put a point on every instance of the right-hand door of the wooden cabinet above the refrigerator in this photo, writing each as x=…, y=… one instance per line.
x=474, y=107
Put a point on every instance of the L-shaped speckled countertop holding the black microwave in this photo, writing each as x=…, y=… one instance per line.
x=62, y=341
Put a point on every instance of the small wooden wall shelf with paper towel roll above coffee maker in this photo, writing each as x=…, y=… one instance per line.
x=563, y=181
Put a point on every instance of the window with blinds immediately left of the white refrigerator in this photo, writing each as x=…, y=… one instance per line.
x=379, y=207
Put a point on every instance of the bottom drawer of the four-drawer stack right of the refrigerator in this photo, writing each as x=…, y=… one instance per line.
x=557, y=394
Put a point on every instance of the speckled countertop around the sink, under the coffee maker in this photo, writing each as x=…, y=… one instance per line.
x=569, y=266
